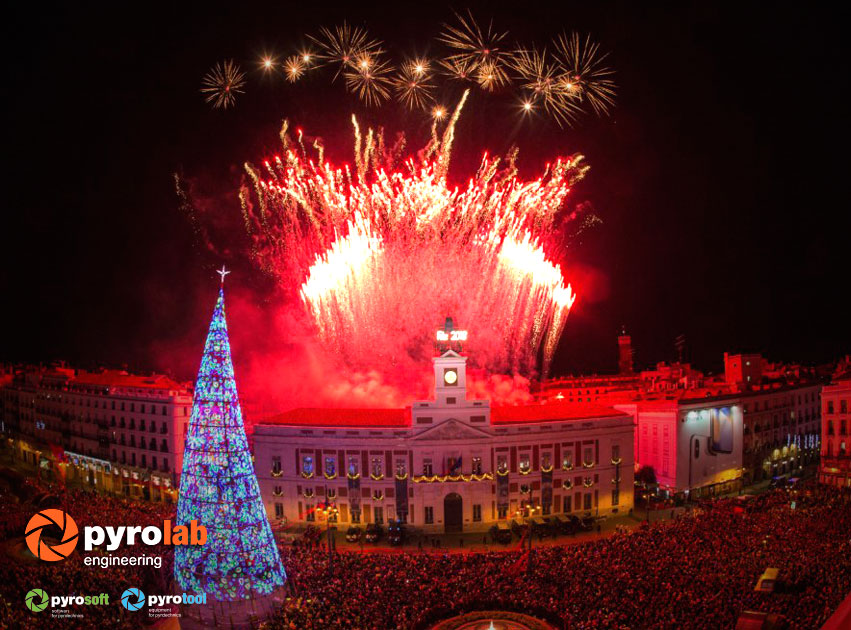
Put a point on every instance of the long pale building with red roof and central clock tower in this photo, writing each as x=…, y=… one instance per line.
x=449, y=464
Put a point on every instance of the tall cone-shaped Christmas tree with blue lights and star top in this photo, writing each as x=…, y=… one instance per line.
x=218, y=487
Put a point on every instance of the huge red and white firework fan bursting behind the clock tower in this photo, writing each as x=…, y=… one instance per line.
x=380, y=254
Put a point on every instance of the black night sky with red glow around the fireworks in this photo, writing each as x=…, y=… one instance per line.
x=720, y=176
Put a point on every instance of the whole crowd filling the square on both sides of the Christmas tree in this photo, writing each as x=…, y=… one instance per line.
x=697, y=571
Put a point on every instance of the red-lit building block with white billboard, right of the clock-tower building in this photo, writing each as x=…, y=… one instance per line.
x=770, y=412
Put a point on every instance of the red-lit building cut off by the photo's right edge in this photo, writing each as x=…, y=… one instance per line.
x=835, y=466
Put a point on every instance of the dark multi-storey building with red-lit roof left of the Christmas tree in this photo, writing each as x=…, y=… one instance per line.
x=106, y=430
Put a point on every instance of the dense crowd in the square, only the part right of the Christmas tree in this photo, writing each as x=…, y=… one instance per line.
x=698, y=572
